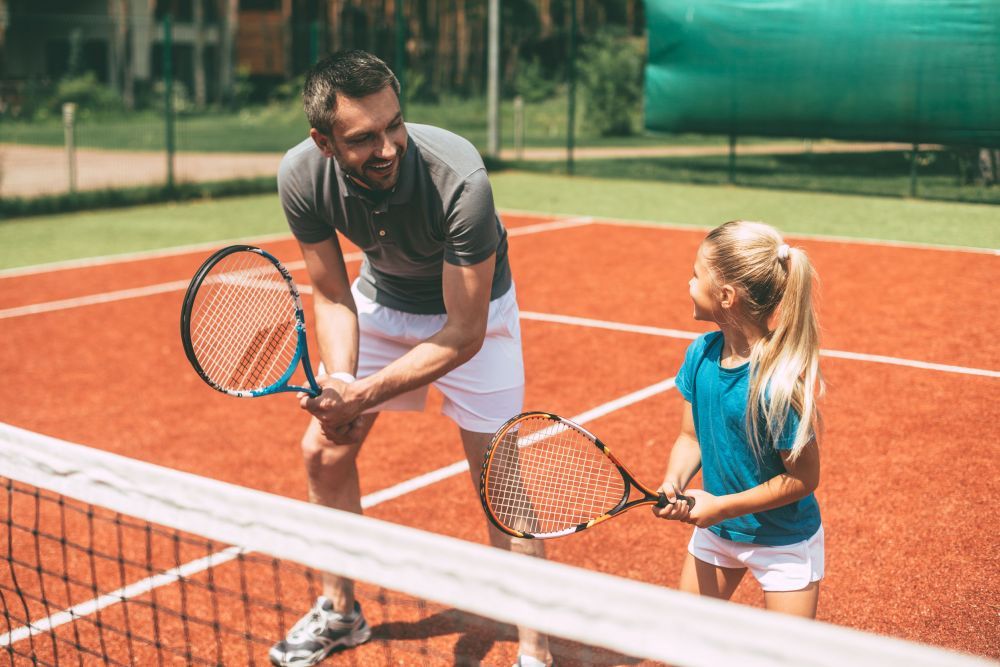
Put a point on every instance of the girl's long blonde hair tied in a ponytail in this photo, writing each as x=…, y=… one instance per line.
x=774, y=283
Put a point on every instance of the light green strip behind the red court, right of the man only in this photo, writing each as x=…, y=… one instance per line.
x=908, y=220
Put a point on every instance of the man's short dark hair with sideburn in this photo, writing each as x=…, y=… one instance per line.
x=353, y=73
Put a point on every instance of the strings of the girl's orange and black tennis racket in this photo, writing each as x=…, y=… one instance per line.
x=546, y=477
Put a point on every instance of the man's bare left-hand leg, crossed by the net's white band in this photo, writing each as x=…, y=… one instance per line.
x=333, y=482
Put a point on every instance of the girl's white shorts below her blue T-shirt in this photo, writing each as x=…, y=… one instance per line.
x=790, y=567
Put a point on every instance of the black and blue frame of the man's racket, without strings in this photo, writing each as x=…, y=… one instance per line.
x=301, y=347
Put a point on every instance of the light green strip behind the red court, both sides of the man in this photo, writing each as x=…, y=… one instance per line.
x=27, y=241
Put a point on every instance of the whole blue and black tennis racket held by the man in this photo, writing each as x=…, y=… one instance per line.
x=242, y=324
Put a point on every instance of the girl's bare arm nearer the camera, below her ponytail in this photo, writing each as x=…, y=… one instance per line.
x=801, y=477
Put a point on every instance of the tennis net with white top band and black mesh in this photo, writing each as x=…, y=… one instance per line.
x=116, y=561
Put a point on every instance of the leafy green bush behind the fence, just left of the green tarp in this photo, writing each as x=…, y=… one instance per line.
x=610, y=73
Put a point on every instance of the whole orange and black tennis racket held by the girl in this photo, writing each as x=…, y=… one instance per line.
x=545, y=476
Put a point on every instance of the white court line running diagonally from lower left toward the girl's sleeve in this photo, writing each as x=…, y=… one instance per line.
x=368, y=501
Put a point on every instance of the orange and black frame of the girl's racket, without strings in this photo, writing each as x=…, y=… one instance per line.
x=649, y=497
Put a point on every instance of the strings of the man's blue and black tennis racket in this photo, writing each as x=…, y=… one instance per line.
x=243, y=323
